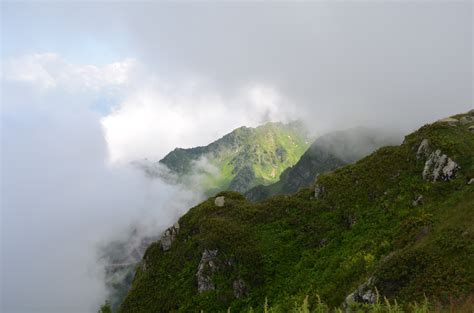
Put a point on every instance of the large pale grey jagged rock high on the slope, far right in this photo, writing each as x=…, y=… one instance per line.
x=439, y=167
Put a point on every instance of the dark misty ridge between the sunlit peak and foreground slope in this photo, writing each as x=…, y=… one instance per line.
x=327, y=153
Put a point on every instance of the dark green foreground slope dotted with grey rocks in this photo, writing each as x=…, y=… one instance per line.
x=398, y=223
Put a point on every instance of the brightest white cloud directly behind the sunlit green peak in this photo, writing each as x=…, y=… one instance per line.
x=156, y=118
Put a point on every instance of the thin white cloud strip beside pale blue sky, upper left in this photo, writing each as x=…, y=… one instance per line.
x=50, y=70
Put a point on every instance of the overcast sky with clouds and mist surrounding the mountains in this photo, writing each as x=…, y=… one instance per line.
x=87, y=87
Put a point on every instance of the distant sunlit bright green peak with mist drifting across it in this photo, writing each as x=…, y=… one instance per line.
x=243, y=158
